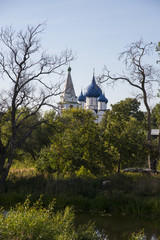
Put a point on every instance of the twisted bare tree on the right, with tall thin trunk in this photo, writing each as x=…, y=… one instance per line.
x=139, y=75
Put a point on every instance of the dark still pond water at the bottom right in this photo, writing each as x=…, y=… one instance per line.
x=121, y=228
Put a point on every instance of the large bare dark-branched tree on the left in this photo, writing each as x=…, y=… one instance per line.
x=25, y=67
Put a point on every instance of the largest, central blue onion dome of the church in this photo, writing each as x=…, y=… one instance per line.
x=93, y=90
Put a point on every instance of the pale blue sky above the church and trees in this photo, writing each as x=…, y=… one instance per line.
x=96, y=30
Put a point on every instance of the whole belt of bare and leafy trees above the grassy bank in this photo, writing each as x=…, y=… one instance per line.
x=72, y=144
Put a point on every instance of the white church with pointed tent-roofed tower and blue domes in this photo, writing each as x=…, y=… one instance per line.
x=92, y=98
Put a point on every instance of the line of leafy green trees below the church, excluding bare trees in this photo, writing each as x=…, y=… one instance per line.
x=73, y=144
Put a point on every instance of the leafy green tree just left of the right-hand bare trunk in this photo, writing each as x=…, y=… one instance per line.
x=125, y=133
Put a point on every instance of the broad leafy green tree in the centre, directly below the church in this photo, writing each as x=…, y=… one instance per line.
x=78, y=144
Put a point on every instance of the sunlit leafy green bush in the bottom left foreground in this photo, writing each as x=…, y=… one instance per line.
x=36, y=222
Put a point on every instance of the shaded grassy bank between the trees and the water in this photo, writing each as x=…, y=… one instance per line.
x=118, y=194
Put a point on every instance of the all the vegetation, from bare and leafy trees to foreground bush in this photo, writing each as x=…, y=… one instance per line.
x=70, y=157
